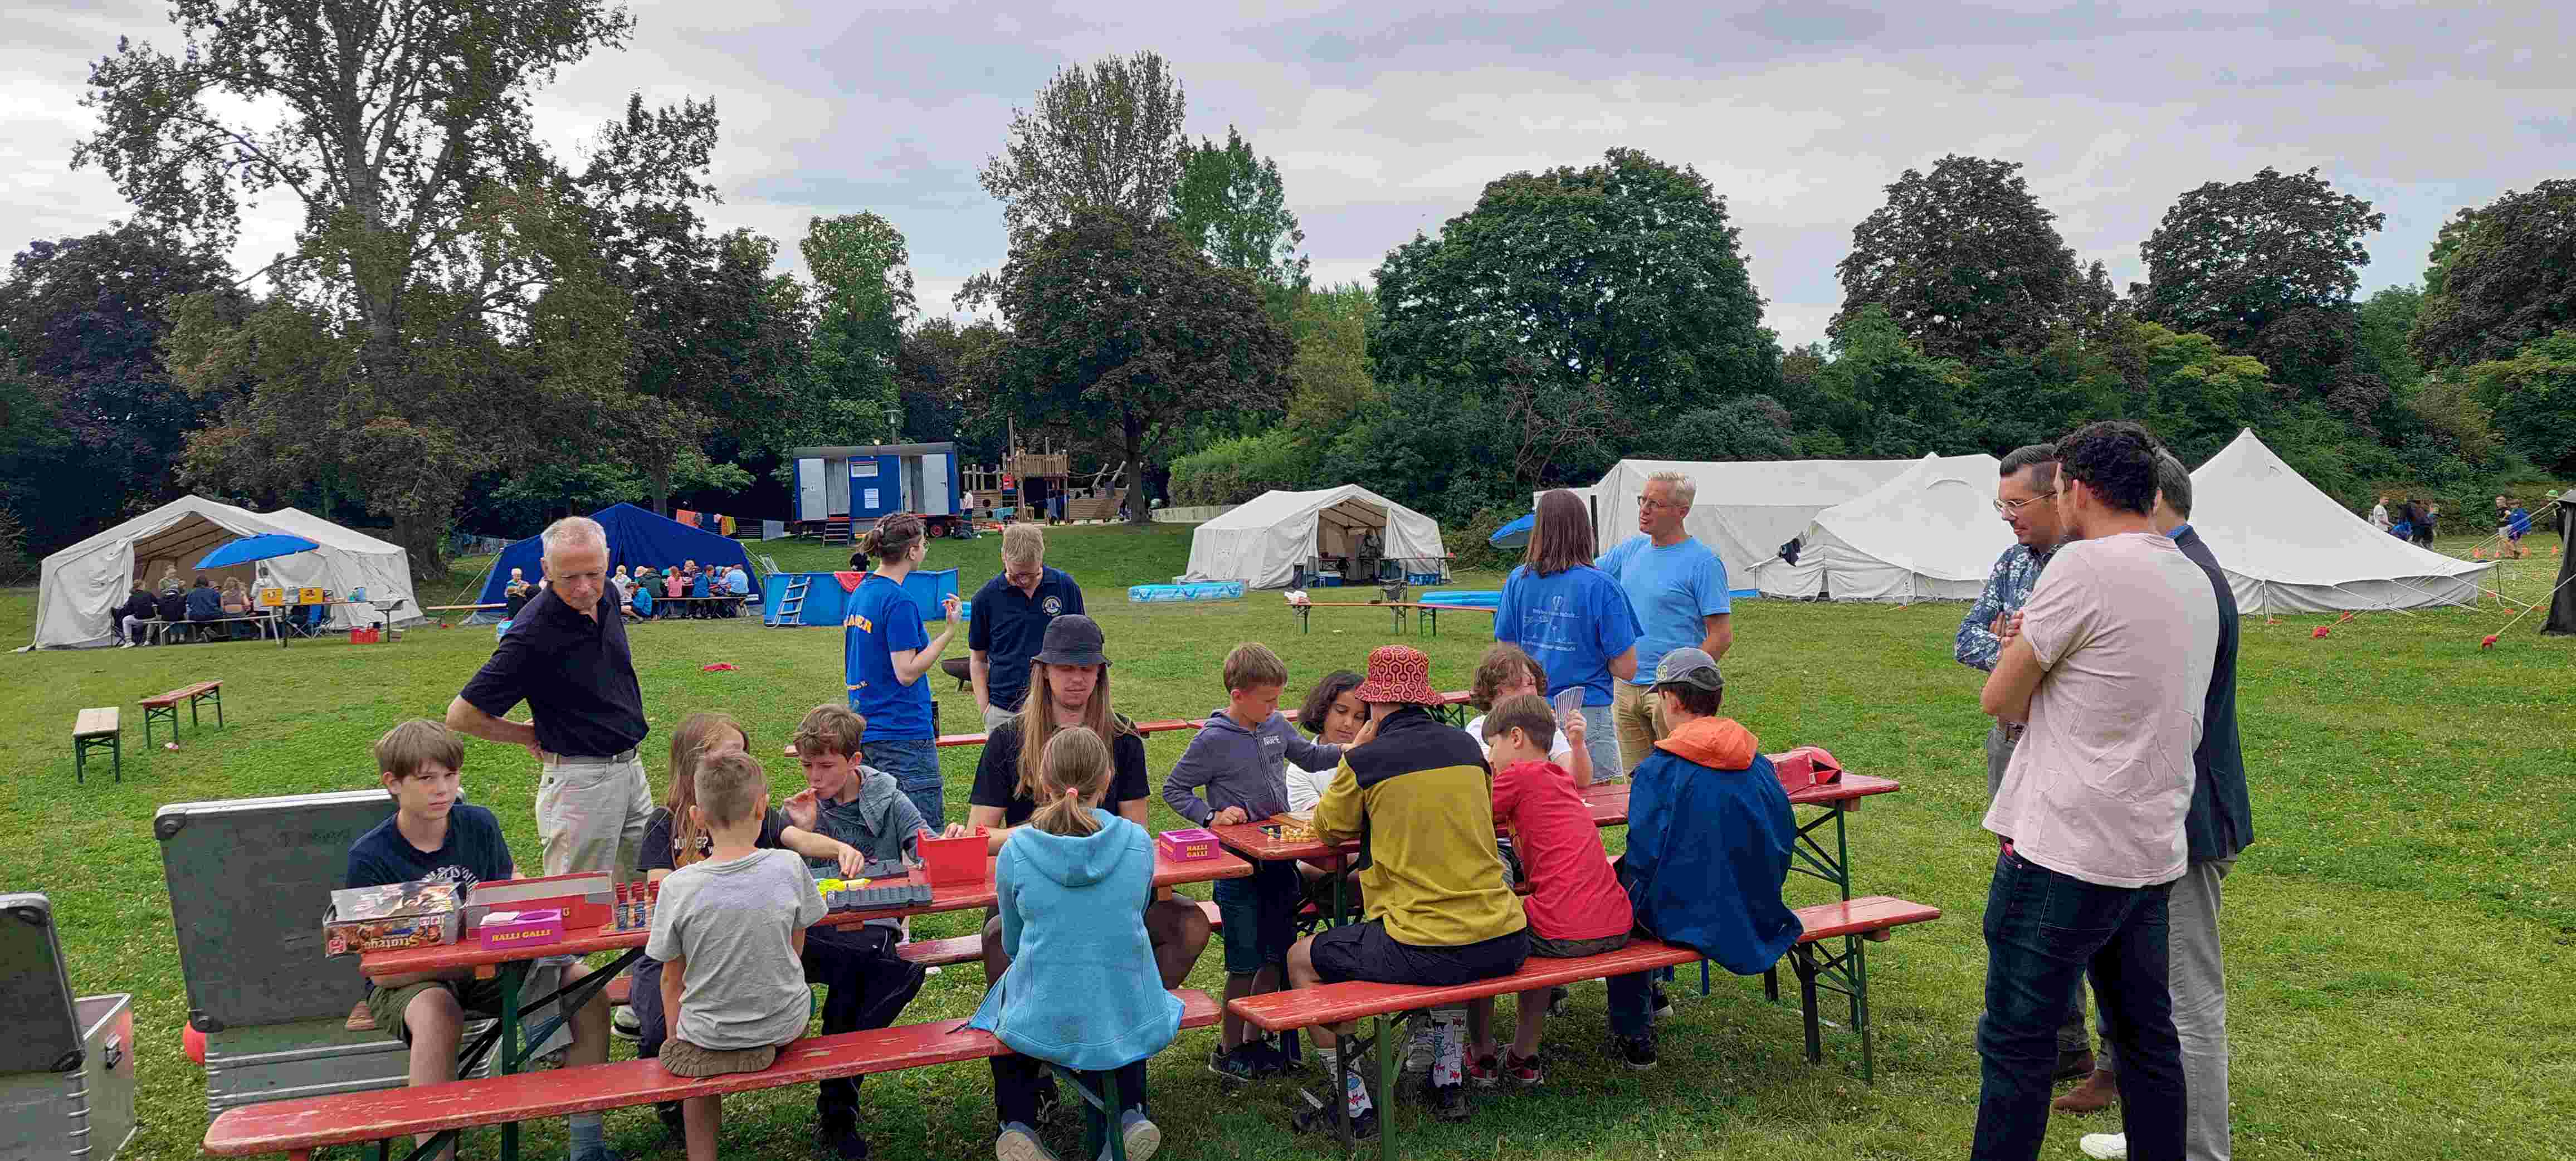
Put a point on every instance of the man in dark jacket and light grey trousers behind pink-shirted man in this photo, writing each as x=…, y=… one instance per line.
x=2217, y=830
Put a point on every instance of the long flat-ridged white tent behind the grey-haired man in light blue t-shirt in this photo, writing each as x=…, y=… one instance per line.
x=1745, y=511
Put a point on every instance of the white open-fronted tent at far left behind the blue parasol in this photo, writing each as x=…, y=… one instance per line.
x=91, y=578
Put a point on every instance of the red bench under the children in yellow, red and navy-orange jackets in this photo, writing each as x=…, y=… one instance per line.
x=1817, y=967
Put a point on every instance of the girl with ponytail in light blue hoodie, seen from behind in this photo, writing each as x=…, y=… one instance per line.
x=1083, y=990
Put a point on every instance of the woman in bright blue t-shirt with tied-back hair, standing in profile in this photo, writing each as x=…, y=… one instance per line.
x=887, y=653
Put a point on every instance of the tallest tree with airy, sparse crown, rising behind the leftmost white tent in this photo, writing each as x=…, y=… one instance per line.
x=431, y=215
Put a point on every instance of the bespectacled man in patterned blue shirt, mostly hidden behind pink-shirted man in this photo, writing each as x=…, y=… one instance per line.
x=2026, y=496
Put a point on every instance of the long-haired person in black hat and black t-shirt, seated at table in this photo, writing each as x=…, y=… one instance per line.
x=1070, y=686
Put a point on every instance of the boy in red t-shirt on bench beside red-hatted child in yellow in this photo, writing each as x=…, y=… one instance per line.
x=1575, y=902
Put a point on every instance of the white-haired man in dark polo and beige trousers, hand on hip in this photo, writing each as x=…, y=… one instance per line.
x=568, y=660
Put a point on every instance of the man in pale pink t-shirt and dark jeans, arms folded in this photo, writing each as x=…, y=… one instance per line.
x=2108, y=676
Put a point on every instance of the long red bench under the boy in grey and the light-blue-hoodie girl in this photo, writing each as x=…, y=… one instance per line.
x=303, y=1126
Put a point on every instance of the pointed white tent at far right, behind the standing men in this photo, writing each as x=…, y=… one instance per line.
x=2291, y=550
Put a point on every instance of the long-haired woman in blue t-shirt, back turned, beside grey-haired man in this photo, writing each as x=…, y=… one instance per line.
x=1573, y=619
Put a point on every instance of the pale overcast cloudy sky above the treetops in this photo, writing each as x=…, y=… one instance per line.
x=1387, y=120
